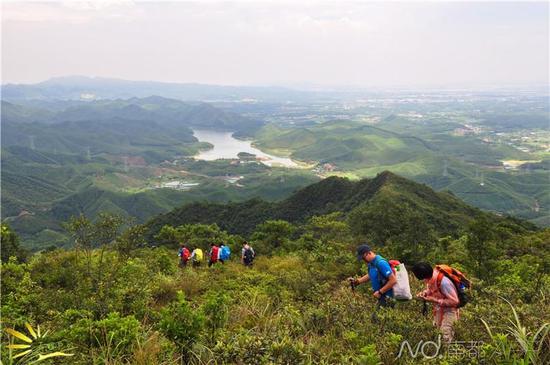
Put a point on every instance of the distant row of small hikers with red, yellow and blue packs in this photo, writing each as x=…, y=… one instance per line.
x=216, y=254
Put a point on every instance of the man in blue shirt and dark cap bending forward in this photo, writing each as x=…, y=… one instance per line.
x=379, y=273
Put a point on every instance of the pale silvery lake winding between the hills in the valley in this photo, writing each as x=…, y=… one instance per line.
x=226, y=146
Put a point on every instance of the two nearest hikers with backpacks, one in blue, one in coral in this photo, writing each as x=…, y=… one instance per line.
x=445, y=287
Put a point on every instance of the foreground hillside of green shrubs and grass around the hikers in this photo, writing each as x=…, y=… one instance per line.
x=113, y=299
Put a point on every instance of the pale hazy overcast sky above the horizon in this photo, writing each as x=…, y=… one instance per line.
x=252, y=43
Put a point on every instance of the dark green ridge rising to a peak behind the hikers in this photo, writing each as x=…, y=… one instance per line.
x=442, y=211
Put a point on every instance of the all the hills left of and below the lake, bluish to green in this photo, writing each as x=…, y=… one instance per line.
x=67, y=158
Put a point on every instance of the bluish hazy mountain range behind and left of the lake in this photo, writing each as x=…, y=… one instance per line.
x=120, y=126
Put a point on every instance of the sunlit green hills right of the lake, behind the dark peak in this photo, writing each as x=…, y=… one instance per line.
x=428, y=151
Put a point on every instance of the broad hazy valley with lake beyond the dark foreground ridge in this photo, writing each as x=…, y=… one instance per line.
x=140, y=157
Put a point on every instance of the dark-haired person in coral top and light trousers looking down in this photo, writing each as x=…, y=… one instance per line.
x=442, y=292
